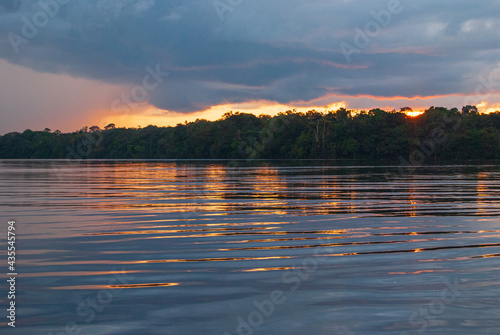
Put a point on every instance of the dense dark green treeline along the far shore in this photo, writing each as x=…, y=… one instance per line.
x=439, y=133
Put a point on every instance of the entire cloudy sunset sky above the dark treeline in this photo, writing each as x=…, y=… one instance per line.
x=65, y=64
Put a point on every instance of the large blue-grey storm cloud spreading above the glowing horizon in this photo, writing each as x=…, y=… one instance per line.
x=225, y=52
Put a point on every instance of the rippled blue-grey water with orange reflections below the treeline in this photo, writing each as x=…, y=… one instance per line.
x=232, y=248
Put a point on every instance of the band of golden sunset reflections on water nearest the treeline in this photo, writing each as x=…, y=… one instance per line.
x=220, y=190
